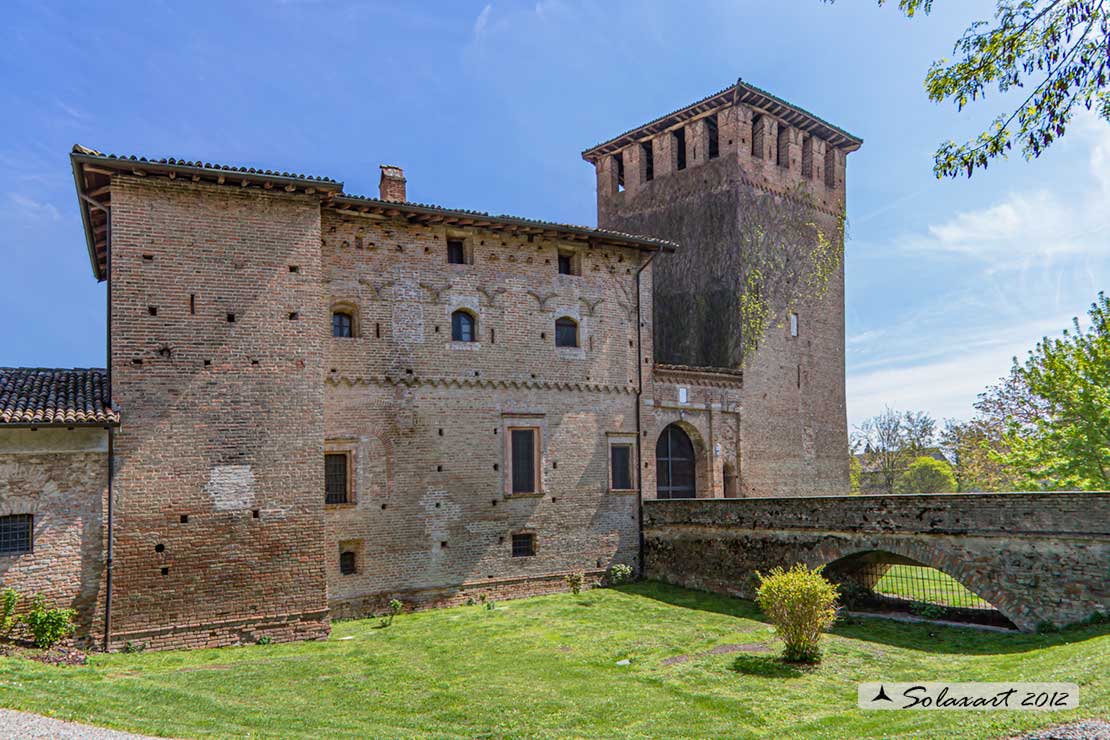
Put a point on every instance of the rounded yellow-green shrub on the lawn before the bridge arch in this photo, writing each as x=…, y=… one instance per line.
x=802, y=604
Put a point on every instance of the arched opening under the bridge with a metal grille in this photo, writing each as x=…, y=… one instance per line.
x=886, y=584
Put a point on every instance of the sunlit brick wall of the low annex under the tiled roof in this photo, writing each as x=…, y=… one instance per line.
x=60, y=478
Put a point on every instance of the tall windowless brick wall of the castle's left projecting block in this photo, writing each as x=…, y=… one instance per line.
x=217, y=359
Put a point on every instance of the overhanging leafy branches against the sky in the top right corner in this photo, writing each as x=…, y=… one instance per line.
x=1055, y=49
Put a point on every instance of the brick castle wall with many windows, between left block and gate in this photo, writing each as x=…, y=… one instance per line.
x=425, y=419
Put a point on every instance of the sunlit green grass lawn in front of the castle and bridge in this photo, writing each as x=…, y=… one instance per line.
x=549, y=667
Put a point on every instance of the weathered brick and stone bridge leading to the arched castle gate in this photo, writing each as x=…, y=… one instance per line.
x=1036, y=557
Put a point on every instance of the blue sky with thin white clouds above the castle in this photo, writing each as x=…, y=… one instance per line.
x=488, y=106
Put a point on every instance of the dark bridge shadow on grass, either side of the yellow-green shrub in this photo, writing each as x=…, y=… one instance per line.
x=924, y=636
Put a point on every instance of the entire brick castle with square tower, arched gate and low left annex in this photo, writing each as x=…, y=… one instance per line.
x=317, y=402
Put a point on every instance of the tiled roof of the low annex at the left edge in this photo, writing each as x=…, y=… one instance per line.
x=63, y=398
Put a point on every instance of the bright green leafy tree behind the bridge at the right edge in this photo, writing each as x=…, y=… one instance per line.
x=1058, y=422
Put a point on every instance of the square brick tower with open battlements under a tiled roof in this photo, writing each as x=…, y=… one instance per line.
x=709, y=177
